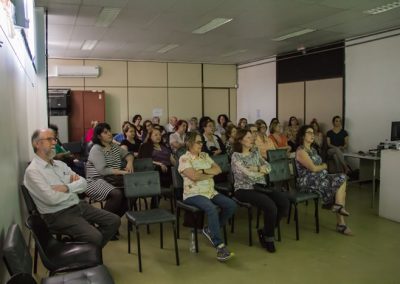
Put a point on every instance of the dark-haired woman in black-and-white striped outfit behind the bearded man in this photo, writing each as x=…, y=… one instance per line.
x=104, y=170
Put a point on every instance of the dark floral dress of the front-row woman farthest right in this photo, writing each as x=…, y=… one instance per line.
x=321, y=183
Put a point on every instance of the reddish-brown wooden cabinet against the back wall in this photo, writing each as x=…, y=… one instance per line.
x=85, y=107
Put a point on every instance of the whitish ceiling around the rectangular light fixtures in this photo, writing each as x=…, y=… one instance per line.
x=144, y=26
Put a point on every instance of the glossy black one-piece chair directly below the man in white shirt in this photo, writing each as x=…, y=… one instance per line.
x=58, y=256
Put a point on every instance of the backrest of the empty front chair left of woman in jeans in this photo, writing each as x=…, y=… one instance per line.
x=142, y=184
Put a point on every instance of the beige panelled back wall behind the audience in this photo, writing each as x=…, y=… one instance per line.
x=144, y=87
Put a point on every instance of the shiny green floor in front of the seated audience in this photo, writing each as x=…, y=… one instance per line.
x=371, y=256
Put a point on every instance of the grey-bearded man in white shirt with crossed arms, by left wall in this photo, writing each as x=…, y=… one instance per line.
x=54, y=188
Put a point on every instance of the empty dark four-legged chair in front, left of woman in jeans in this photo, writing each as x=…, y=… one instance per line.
x=146, y=184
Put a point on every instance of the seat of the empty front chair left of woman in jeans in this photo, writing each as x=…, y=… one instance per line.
x=150, y=216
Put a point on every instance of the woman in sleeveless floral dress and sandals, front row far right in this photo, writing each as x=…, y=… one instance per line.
x=313, y=177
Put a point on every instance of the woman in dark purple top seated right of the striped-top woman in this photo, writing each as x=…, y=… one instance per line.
x=160, y=154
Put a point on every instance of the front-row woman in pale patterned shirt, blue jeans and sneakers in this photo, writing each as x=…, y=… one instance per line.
x=198, y=170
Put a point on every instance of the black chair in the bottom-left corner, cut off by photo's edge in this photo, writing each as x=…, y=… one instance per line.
x=19, y=264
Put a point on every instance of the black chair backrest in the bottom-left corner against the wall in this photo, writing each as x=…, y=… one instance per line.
x=15, y=252
